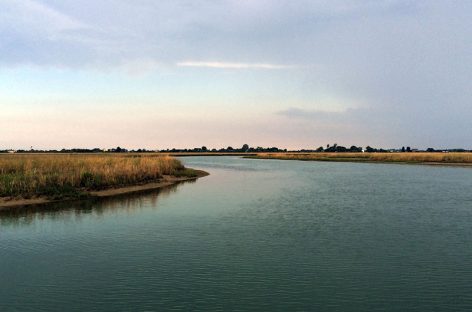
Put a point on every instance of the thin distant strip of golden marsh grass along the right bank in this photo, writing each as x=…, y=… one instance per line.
x=441, y=158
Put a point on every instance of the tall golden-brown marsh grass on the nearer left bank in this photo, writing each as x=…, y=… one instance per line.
x=59, y=176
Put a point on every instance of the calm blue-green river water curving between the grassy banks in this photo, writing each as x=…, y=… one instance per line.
x=261, y=235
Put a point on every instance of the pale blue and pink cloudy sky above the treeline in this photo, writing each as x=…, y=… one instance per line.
x=292, y=74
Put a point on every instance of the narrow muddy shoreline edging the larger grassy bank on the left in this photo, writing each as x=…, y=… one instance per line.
x=164, y=182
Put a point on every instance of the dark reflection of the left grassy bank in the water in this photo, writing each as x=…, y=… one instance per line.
x=129, y=203
